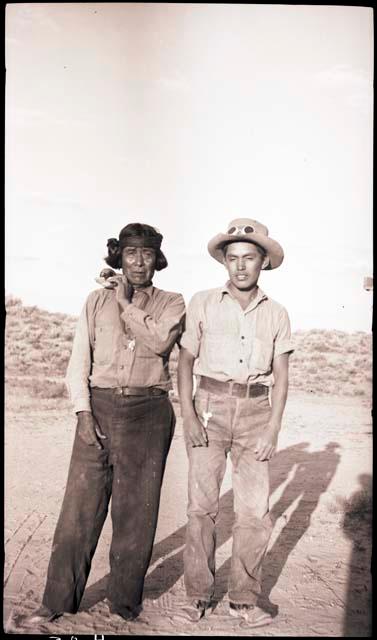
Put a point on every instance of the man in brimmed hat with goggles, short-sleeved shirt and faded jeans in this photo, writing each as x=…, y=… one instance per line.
x=237, y=341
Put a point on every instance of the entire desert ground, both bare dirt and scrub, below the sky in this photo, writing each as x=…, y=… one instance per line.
x=317, y=572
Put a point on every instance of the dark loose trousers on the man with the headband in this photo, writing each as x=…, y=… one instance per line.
x=129, y=469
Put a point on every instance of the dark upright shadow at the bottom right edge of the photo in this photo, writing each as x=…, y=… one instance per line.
x=357, y=526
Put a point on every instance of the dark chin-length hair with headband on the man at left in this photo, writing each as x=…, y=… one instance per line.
x=135, y=229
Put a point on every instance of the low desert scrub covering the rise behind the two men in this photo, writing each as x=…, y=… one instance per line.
x=39, y=343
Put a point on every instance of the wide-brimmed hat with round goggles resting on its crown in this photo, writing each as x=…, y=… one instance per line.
x=247, y=230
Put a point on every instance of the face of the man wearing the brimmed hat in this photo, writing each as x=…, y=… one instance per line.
x=244, y=261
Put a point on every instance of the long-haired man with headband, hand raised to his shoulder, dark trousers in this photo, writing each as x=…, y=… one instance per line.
x=118, y=378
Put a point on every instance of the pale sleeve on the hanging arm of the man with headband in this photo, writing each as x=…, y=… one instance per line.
x=79, y=366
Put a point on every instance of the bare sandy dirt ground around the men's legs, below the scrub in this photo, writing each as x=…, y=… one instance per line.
x=317, y=573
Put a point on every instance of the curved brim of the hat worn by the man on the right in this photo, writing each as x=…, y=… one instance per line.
x=272, y=248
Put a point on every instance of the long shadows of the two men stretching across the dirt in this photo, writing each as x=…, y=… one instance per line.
x=312, y=473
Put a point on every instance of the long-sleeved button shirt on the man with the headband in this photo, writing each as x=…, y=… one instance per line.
x=132, y=348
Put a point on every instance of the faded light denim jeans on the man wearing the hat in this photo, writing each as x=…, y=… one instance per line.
x=234, y=427
